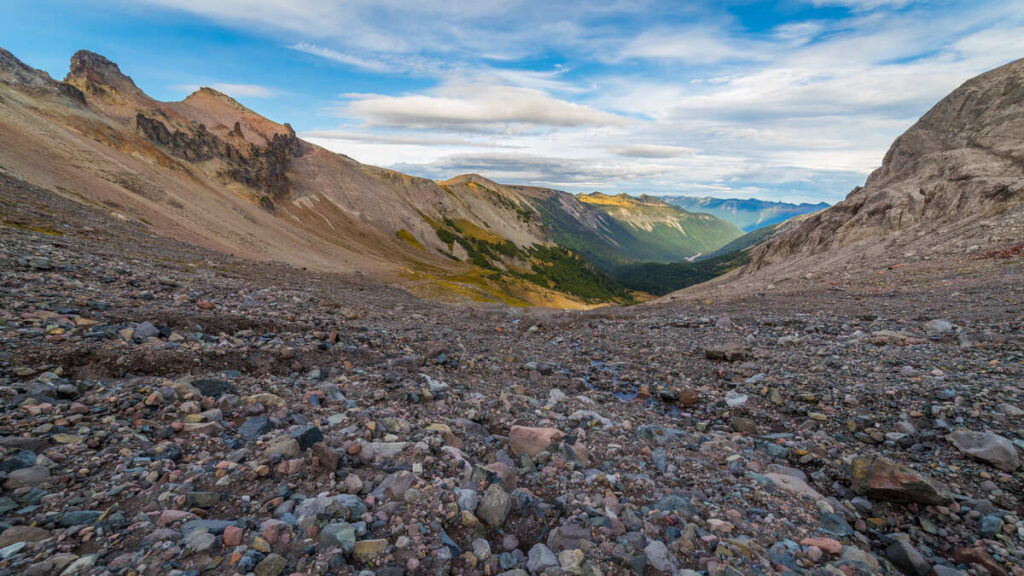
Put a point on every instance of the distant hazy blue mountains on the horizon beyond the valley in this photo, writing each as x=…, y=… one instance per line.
x=749, y=215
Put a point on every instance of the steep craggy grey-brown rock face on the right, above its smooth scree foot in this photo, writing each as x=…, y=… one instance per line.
x=961, y=162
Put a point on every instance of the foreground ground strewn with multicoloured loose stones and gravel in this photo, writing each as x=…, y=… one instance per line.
x=168, y=410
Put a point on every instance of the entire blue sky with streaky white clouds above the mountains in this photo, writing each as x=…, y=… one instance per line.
x=790, y=100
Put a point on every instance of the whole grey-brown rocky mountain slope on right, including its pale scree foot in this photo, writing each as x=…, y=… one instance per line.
x=951, y=188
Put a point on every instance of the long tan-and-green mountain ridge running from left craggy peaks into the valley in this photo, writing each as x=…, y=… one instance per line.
x=210, y=172
